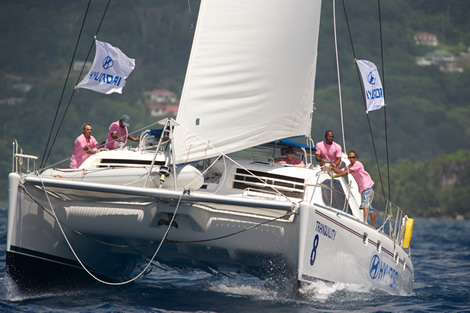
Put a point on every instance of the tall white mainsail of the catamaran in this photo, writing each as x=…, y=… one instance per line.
x=250, y=77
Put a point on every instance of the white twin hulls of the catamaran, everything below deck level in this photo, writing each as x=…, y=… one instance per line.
x=114, y=231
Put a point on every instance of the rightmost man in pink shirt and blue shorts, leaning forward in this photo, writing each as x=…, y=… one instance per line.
x=364, y=182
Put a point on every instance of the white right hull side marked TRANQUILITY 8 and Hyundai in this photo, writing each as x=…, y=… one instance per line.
x=337, y=248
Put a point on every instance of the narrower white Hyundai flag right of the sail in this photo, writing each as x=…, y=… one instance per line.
x=372, y=85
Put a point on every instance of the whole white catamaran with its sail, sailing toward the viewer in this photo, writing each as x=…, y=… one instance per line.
x=204, y=190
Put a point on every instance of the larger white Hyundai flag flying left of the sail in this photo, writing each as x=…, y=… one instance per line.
x=109, y=71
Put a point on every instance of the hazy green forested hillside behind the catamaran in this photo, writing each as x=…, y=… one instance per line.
x=427, y=109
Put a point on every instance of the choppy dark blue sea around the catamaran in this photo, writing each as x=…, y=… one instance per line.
x=440, y=254
